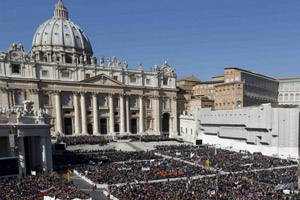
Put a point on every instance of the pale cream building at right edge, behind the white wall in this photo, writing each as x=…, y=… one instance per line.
x=289, y=91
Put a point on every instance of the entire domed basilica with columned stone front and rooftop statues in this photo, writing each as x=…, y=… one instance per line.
x=84, y=96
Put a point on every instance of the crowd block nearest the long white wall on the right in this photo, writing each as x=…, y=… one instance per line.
x=223, y=159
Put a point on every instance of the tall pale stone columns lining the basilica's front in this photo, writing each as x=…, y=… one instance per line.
x=124, y=113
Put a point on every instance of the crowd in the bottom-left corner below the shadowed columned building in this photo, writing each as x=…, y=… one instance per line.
x=30, y=187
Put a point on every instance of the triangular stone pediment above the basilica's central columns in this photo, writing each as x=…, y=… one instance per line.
x=102, y=79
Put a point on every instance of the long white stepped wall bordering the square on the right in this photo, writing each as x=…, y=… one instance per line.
x=259, y=129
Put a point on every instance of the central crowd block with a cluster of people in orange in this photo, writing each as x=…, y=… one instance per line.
x=128, y=172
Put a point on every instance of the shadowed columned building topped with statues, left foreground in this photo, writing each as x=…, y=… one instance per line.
x=25, y=141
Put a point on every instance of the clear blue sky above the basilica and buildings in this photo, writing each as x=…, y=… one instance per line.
x=196, y=37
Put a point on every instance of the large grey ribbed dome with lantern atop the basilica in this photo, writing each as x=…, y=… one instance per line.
x=60, y=34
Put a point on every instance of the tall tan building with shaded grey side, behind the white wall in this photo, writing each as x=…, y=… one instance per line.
x=242, y=88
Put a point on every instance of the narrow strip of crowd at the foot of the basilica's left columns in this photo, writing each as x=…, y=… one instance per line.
x=86, y=139
